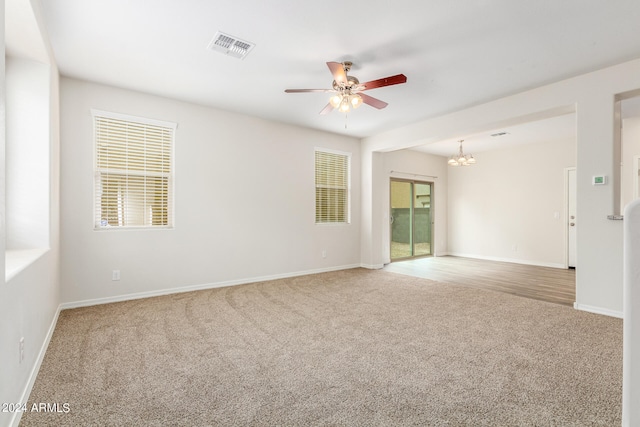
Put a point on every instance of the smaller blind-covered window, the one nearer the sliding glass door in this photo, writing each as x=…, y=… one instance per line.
x=332, y=186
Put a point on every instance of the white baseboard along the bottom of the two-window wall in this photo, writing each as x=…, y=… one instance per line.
x=191, y=288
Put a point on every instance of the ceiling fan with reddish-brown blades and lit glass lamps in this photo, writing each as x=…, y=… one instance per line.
x=348, y=89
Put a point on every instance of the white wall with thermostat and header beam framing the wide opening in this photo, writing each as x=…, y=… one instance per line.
x=592, y=97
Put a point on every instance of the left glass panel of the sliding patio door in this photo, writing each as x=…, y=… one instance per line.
x=401, y=219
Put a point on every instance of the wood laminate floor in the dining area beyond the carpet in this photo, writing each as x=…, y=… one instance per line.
x=555, y=285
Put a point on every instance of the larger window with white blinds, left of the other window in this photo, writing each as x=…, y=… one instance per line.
x=133, y=172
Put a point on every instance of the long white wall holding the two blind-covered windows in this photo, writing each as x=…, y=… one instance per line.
x=244, y=202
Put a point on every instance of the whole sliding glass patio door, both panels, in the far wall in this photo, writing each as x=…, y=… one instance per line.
x=411, y=219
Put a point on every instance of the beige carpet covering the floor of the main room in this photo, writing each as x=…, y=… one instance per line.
x=347, y=348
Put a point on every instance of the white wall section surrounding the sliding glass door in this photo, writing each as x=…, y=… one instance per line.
x=408, y=164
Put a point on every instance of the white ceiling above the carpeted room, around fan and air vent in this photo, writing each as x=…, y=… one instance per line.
x=455, y=54
